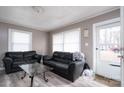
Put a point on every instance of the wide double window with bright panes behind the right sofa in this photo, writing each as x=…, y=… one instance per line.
x=68, y=41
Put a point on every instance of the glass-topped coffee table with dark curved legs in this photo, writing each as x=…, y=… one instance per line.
x=35, y=69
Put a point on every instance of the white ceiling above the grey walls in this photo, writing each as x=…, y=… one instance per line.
x=50, y=17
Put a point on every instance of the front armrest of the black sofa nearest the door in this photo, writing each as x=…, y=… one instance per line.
x=76, y=69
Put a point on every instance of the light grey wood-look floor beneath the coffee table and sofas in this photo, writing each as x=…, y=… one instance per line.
x=14, y=80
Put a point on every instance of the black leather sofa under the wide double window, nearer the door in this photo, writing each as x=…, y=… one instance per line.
x=66, y=64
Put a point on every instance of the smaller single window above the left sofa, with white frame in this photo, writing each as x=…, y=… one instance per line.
x=19, y=40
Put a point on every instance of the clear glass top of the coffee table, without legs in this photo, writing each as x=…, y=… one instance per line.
x=35, y=68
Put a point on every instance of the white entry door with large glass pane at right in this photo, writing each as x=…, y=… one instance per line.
x=108, y=49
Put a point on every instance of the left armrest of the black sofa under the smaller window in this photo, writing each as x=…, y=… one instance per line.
x=8, y=64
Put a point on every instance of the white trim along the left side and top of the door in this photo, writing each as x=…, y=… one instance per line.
x=94, y=37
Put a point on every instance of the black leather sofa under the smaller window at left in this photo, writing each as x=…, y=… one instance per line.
x=12, y=60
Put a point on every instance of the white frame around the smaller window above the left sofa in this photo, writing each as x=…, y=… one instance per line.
x=10, y=37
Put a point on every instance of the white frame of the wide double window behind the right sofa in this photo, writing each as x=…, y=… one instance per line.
x=78, y=29
